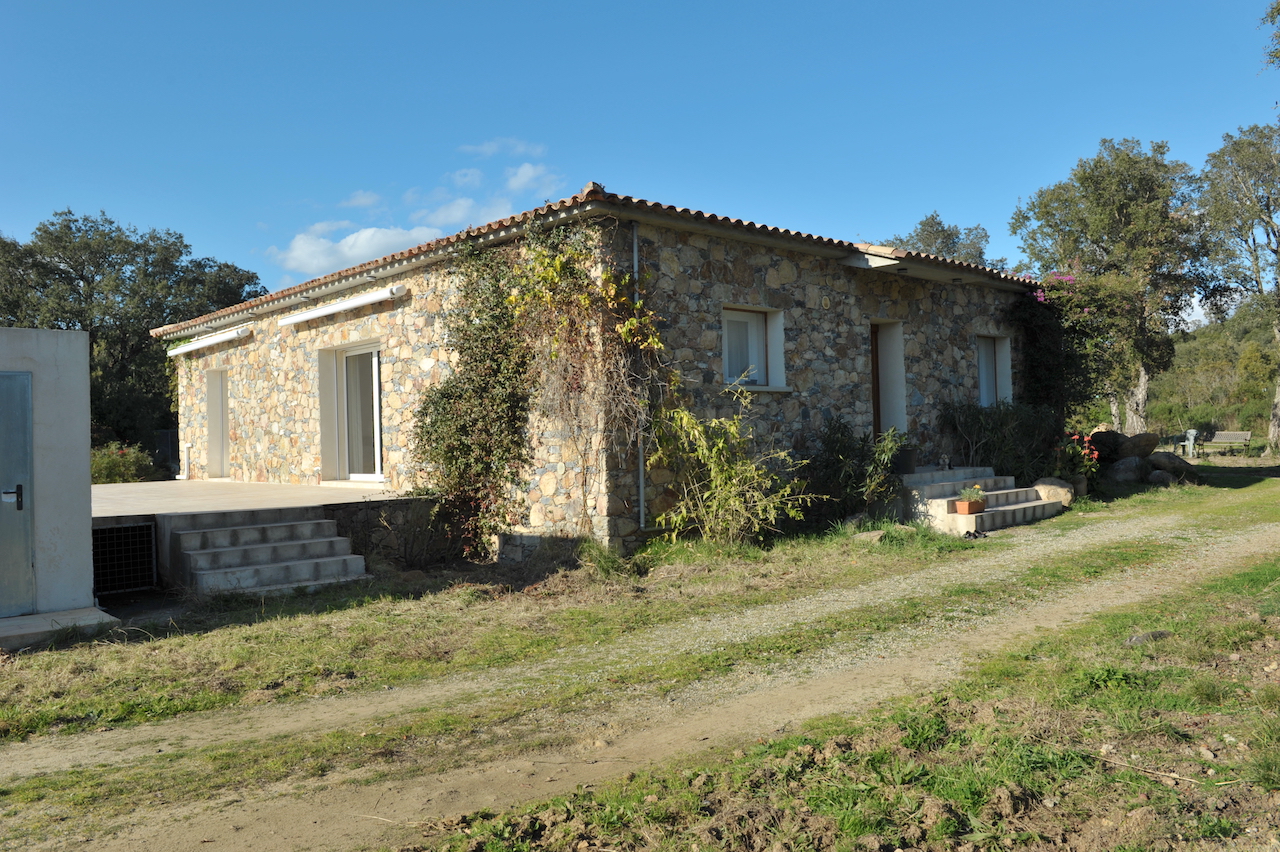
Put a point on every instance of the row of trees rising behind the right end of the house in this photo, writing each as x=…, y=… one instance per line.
x=1124, y=245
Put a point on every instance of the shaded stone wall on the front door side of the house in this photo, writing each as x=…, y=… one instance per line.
x=828, y=310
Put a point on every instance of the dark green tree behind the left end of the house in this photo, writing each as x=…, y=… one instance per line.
x=92, y=274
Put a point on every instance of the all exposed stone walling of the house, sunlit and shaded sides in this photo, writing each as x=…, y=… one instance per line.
x=579, y=485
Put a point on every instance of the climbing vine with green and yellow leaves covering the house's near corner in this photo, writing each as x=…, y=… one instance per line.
x=542, y=327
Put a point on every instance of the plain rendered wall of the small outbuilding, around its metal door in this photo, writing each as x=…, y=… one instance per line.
x=61, y=496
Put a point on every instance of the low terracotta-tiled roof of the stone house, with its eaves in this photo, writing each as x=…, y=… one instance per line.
x=591, y=203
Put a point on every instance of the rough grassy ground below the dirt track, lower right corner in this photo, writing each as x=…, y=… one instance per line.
x=1027, y=750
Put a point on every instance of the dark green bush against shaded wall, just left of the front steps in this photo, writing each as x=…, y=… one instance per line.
x=856, y=473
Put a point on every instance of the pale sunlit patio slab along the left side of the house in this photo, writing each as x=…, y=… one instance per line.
x=129, y=500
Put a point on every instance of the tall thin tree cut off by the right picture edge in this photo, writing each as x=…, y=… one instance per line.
x=1241, y=199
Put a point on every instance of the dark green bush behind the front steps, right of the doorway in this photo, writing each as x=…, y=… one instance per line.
x=1013, y=439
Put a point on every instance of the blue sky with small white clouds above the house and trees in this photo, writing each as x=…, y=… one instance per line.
x=296, y=139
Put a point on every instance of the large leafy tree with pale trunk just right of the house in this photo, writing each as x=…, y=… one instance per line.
x=1122, y=240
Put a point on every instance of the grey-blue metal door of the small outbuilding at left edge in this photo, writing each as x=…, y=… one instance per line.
x=17, y=572
